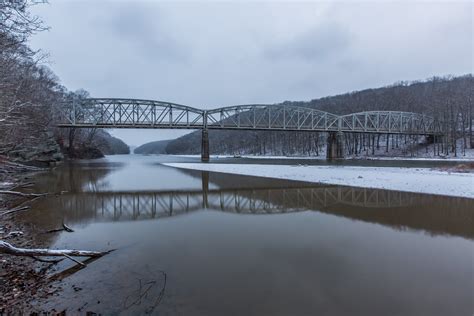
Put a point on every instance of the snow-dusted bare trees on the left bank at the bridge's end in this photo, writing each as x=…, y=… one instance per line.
x=31, y=96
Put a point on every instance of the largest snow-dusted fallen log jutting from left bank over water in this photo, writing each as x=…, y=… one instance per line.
x=12, y=250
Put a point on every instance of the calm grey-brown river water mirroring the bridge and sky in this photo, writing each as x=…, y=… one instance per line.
x=198, y=243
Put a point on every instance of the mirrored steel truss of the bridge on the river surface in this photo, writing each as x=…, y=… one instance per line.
x=122, y=206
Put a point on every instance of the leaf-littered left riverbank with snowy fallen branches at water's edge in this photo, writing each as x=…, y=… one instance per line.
x=29, y=266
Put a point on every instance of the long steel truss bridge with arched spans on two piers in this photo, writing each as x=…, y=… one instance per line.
x=136, y=113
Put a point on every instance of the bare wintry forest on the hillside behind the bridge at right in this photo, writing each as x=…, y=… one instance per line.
x=448, y=99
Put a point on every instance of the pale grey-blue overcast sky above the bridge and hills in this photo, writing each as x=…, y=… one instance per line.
x=211, y=54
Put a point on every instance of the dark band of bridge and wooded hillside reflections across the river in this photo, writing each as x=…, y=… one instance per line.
x=89, y=199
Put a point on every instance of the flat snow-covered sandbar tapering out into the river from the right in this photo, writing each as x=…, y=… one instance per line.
x=420, y=180
